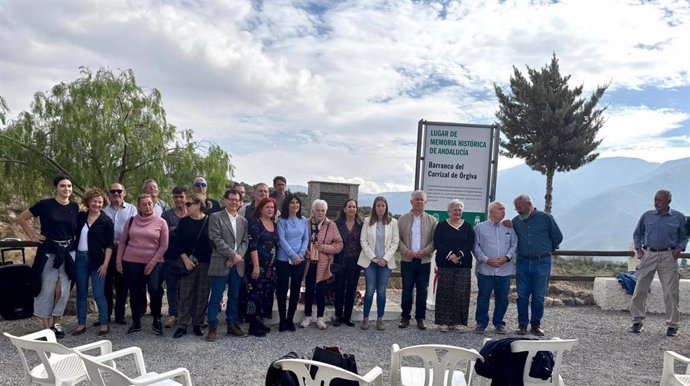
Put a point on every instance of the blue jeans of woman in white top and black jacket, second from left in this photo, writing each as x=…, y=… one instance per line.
x=98, y=289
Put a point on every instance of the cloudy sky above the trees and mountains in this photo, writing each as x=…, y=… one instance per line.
x=333, y=89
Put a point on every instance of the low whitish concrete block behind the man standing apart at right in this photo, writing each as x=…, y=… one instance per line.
x=610, y=295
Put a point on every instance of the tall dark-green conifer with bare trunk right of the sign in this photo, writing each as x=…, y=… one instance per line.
x=547, y=123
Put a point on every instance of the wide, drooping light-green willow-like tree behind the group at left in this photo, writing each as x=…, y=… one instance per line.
x=98, y=129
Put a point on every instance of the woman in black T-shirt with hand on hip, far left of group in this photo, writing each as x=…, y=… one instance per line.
x=54, y=261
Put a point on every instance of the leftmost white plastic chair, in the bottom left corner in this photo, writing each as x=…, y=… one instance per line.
x=59, y=365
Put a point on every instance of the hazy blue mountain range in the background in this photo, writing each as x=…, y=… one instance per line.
x=596, y=206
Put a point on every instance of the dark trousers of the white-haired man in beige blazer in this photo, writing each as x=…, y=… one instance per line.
x=414, y=274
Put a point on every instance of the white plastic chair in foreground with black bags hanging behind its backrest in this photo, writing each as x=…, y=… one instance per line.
x=326, y=372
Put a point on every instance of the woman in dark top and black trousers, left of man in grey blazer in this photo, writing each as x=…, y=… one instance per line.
x=191, y=236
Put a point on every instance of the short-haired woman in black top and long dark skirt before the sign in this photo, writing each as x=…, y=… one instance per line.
x=454, y=240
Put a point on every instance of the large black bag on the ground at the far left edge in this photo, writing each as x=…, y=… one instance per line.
x=16, y=294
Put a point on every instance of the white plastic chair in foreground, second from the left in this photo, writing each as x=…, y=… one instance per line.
x=95, y=367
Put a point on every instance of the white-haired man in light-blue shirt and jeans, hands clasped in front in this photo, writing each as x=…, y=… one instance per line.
x=494, y=248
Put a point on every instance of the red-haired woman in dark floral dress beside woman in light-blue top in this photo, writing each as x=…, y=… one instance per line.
x=261, y=283
